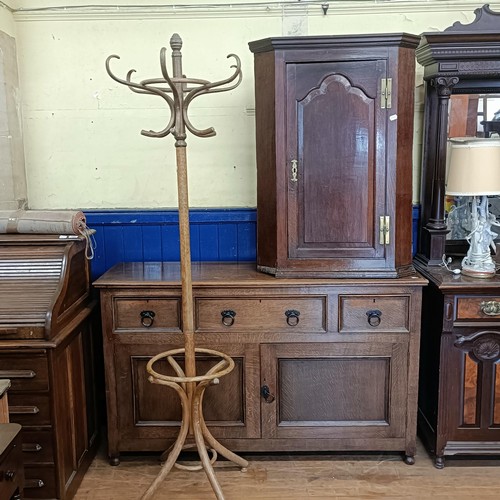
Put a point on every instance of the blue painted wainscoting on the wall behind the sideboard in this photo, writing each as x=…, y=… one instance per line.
x=153, y=235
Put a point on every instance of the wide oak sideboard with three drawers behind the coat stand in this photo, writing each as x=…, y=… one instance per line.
x=321, y=364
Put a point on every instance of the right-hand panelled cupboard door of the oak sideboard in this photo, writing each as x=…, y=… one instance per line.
x=341, y=390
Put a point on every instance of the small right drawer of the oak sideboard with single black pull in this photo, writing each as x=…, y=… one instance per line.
x=366, y=313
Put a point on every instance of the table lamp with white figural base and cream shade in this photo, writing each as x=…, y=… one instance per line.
x=474, y=171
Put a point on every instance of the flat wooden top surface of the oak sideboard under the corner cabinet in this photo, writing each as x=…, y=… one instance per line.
x=159, y=274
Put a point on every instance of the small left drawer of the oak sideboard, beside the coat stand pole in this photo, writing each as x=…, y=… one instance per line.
x=147, y=314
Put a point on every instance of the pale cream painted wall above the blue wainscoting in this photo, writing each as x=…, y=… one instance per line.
x=83, y=146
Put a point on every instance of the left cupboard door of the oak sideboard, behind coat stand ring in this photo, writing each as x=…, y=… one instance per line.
x=146, y=410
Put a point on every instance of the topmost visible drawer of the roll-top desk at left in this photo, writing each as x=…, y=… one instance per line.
x=27, y=372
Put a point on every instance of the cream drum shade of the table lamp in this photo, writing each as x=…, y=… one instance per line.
x=473, y=166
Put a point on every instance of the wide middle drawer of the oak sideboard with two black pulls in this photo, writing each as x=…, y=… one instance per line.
x=291, y=314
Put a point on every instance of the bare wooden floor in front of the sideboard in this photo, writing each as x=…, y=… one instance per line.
x=301, y=477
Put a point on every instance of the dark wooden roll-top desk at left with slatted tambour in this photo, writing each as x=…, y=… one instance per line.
x=47, y=327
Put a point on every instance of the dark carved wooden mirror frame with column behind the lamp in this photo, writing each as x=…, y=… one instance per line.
x=462, y=59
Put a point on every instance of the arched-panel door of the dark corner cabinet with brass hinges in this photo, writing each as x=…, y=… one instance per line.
x=336, y=154
